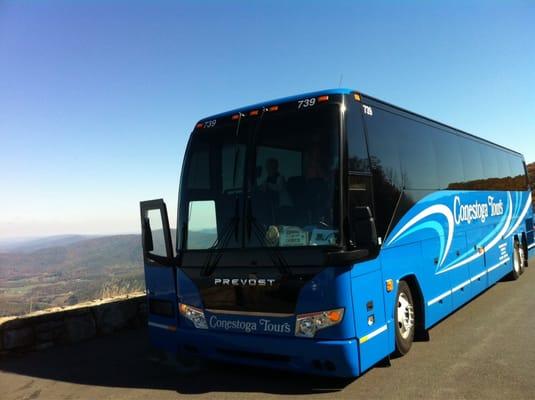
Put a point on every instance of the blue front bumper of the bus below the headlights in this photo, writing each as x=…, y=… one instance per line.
x=324, y=357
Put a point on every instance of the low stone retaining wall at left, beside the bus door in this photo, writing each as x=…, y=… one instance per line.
x=77, y=323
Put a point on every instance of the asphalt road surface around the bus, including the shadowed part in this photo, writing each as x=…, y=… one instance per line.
x=486, y=350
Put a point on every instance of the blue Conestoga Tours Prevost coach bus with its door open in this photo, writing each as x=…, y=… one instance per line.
x=321, y=233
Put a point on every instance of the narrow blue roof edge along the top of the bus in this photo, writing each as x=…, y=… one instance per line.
x=348, y=91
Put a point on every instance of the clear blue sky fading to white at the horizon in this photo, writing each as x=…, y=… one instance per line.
x=97, y=98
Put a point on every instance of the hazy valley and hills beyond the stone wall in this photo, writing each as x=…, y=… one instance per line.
x=69, y=272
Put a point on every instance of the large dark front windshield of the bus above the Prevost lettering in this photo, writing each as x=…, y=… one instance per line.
x=267, y=182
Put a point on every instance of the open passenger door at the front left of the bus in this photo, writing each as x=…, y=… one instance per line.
x=160, y=275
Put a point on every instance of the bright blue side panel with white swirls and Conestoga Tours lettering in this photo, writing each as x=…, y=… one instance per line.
x=455, y=257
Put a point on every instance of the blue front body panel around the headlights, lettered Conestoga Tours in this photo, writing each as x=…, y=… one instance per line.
x=249, y=344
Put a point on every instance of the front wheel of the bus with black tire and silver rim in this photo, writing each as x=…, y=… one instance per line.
x=404, y=309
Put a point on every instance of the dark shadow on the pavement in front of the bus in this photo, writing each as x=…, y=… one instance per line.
x=122, y=360
